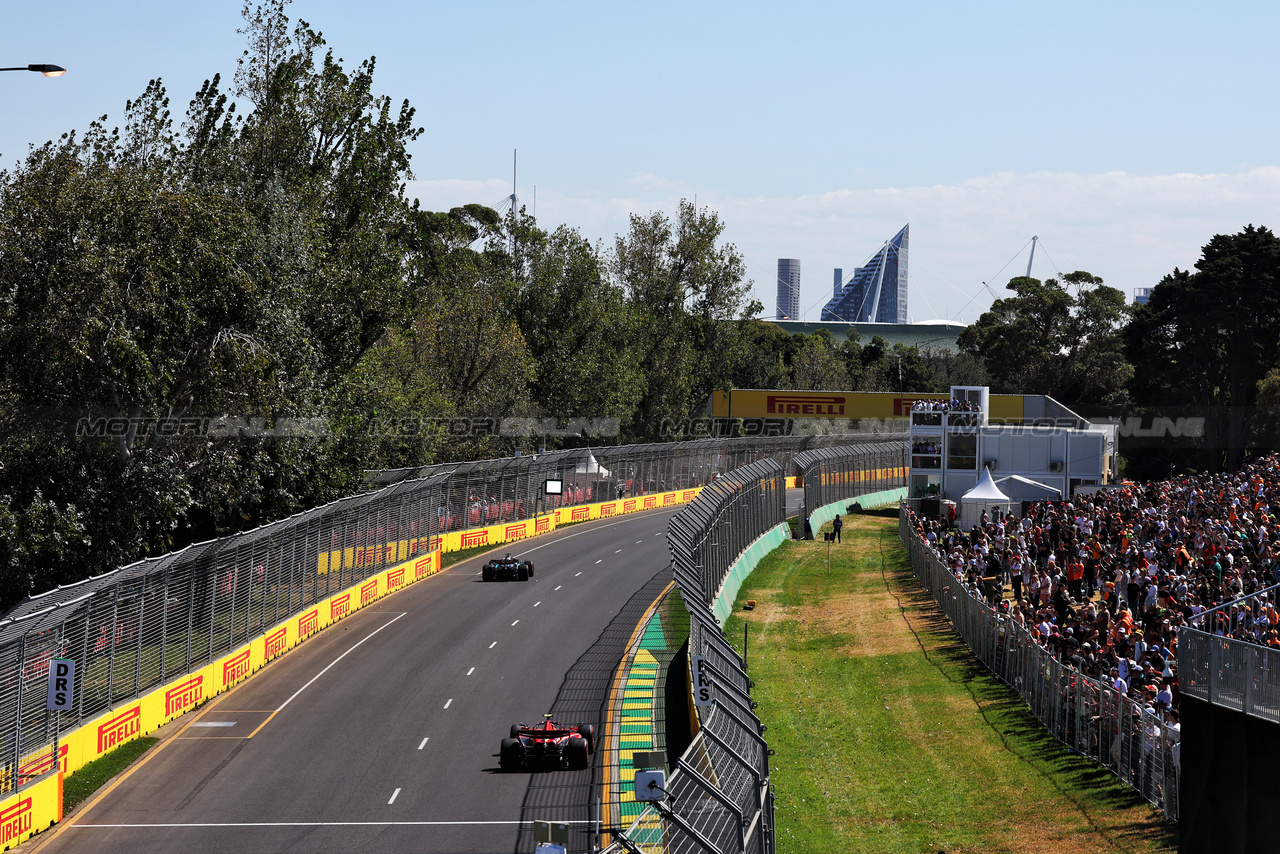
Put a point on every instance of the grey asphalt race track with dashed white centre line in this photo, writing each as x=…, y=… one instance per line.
x=382, y=733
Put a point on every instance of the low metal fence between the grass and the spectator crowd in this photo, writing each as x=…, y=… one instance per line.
x=1086, y=715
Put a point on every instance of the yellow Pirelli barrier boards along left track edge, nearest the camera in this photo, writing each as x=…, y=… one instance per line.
x=185, y=693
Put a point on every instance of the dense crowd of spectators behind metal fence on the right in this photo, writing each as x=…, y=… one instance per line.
x=1104, y=582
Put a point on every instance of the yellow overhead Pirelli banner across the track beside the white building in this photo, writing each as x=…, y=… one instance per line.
x=765, y=404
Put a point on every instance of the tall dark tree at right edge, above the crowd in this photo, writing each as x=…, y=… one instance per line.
x=1208, y=339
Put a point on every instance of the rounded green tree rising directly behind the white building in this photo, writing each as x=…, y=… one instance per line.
x=1046, y=340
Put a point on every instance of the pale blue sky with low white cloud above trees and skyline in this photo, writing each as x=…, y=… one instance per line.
x=1123, y=134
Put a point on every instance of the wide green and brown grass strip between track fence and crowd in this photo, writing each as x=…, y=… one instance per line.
x=892, y=738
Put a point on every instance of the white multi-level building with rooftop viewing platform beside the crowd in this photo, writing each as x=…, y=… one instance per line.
x=1048, y=453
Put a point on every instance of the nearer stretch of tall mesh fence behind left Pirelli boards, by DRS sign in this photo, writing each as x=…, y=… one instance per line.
x=147, y=624
